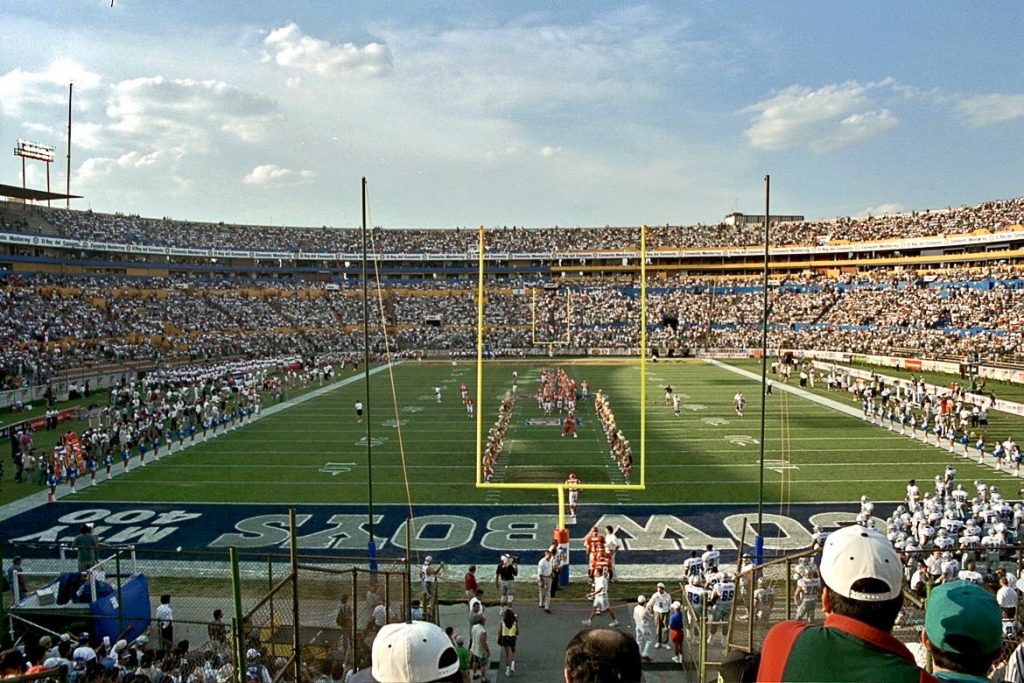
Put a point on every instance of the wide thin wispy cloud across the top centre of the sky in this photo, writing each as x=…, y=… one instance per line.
x=626, y=56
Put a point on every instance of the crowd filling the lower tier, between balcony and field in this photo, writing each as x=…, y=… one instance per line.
x=54, y=323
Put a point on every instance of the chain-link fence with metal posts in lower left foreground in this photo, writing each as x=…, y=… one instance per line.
x=236, y=617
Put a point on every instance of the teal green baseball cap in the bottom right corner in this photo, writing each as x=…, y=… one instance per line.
x=964, y=618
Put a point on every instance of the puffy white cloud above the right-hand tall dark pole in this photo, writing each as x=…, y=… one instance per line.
x=831, y=118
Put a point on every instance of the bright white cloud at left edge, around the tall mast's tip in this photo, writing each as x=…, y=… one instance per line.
x=21, y=90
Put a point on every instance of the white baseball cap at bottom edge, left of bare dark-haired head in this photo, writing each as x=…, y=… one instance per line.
x=412, y=653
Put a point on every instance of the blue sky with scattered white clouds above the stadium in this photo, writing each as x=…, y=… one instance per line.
x=527, y=114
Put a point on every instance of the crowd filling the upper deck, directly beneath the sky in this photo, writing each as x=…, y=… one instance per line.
x=134, y=230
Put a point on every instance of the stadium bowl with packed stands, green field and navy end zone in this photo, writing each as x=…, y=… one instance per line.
x=924, y=318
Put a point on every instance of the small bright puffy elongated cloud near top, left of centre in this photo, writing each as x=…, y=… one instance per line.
x=288, y=47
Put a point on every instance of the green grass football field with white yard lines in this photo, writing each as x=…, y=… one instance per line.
x=316, y=452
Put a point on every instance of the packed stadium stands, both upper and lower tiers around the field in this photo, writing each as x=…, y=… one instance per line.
x=127, y=308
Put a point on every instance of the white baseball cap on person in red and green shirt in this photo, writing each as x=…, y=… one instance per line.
x=858, y=552
